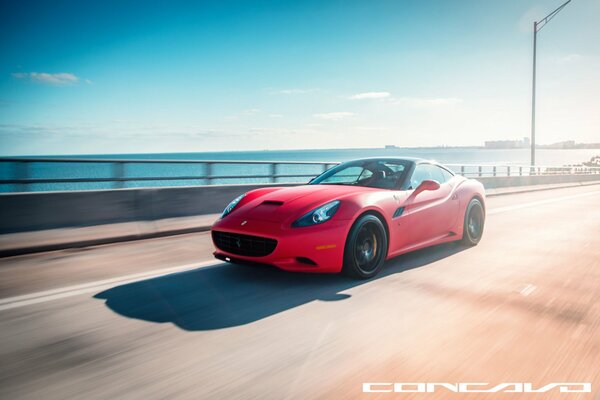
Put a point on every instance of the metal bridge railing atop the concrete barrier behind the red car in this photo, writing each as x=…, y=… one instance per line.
x=48, y=174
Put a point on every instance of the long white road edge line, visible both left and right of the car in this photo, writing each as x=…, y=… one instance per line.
x=69, y=291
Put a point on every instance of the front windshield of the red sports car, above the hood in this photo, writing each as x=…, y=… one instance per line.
x=382, y=174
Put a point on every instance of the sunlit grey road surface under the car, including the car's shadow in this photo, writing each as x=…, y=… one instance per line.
x=159, y=319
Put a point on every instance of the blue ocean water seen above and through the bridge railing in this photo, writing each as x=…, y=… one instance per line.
x=40, y=170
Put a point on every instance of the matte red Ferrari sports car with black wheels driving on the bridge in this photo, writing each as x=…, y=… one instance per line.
x=352, y=217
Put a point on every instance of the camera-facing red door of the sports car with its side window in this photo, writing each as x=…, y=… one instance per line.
x=428, y=214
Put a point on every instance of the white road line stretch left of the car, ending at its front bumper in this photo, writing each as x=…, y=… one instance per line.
x=69, y=291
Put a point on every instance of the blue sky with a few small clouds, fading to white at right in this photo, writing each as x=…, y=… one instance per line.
x=96, y=77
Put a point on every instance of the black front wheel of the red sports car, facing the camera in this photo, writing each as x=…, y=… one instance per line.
x=366, y=248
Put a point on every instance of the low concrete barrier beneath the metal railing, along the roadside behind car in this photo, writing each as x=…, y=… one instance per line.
x=27, y=212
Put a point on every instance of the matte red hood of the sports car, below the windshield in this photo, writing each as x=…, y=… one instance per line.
x=285, y=203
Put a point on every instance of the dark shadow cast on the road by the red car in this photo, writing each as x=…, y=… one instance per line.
x=231, y=295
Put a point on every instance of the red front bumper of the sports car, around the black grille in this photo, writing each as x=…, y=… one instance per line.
x=318, y=248
